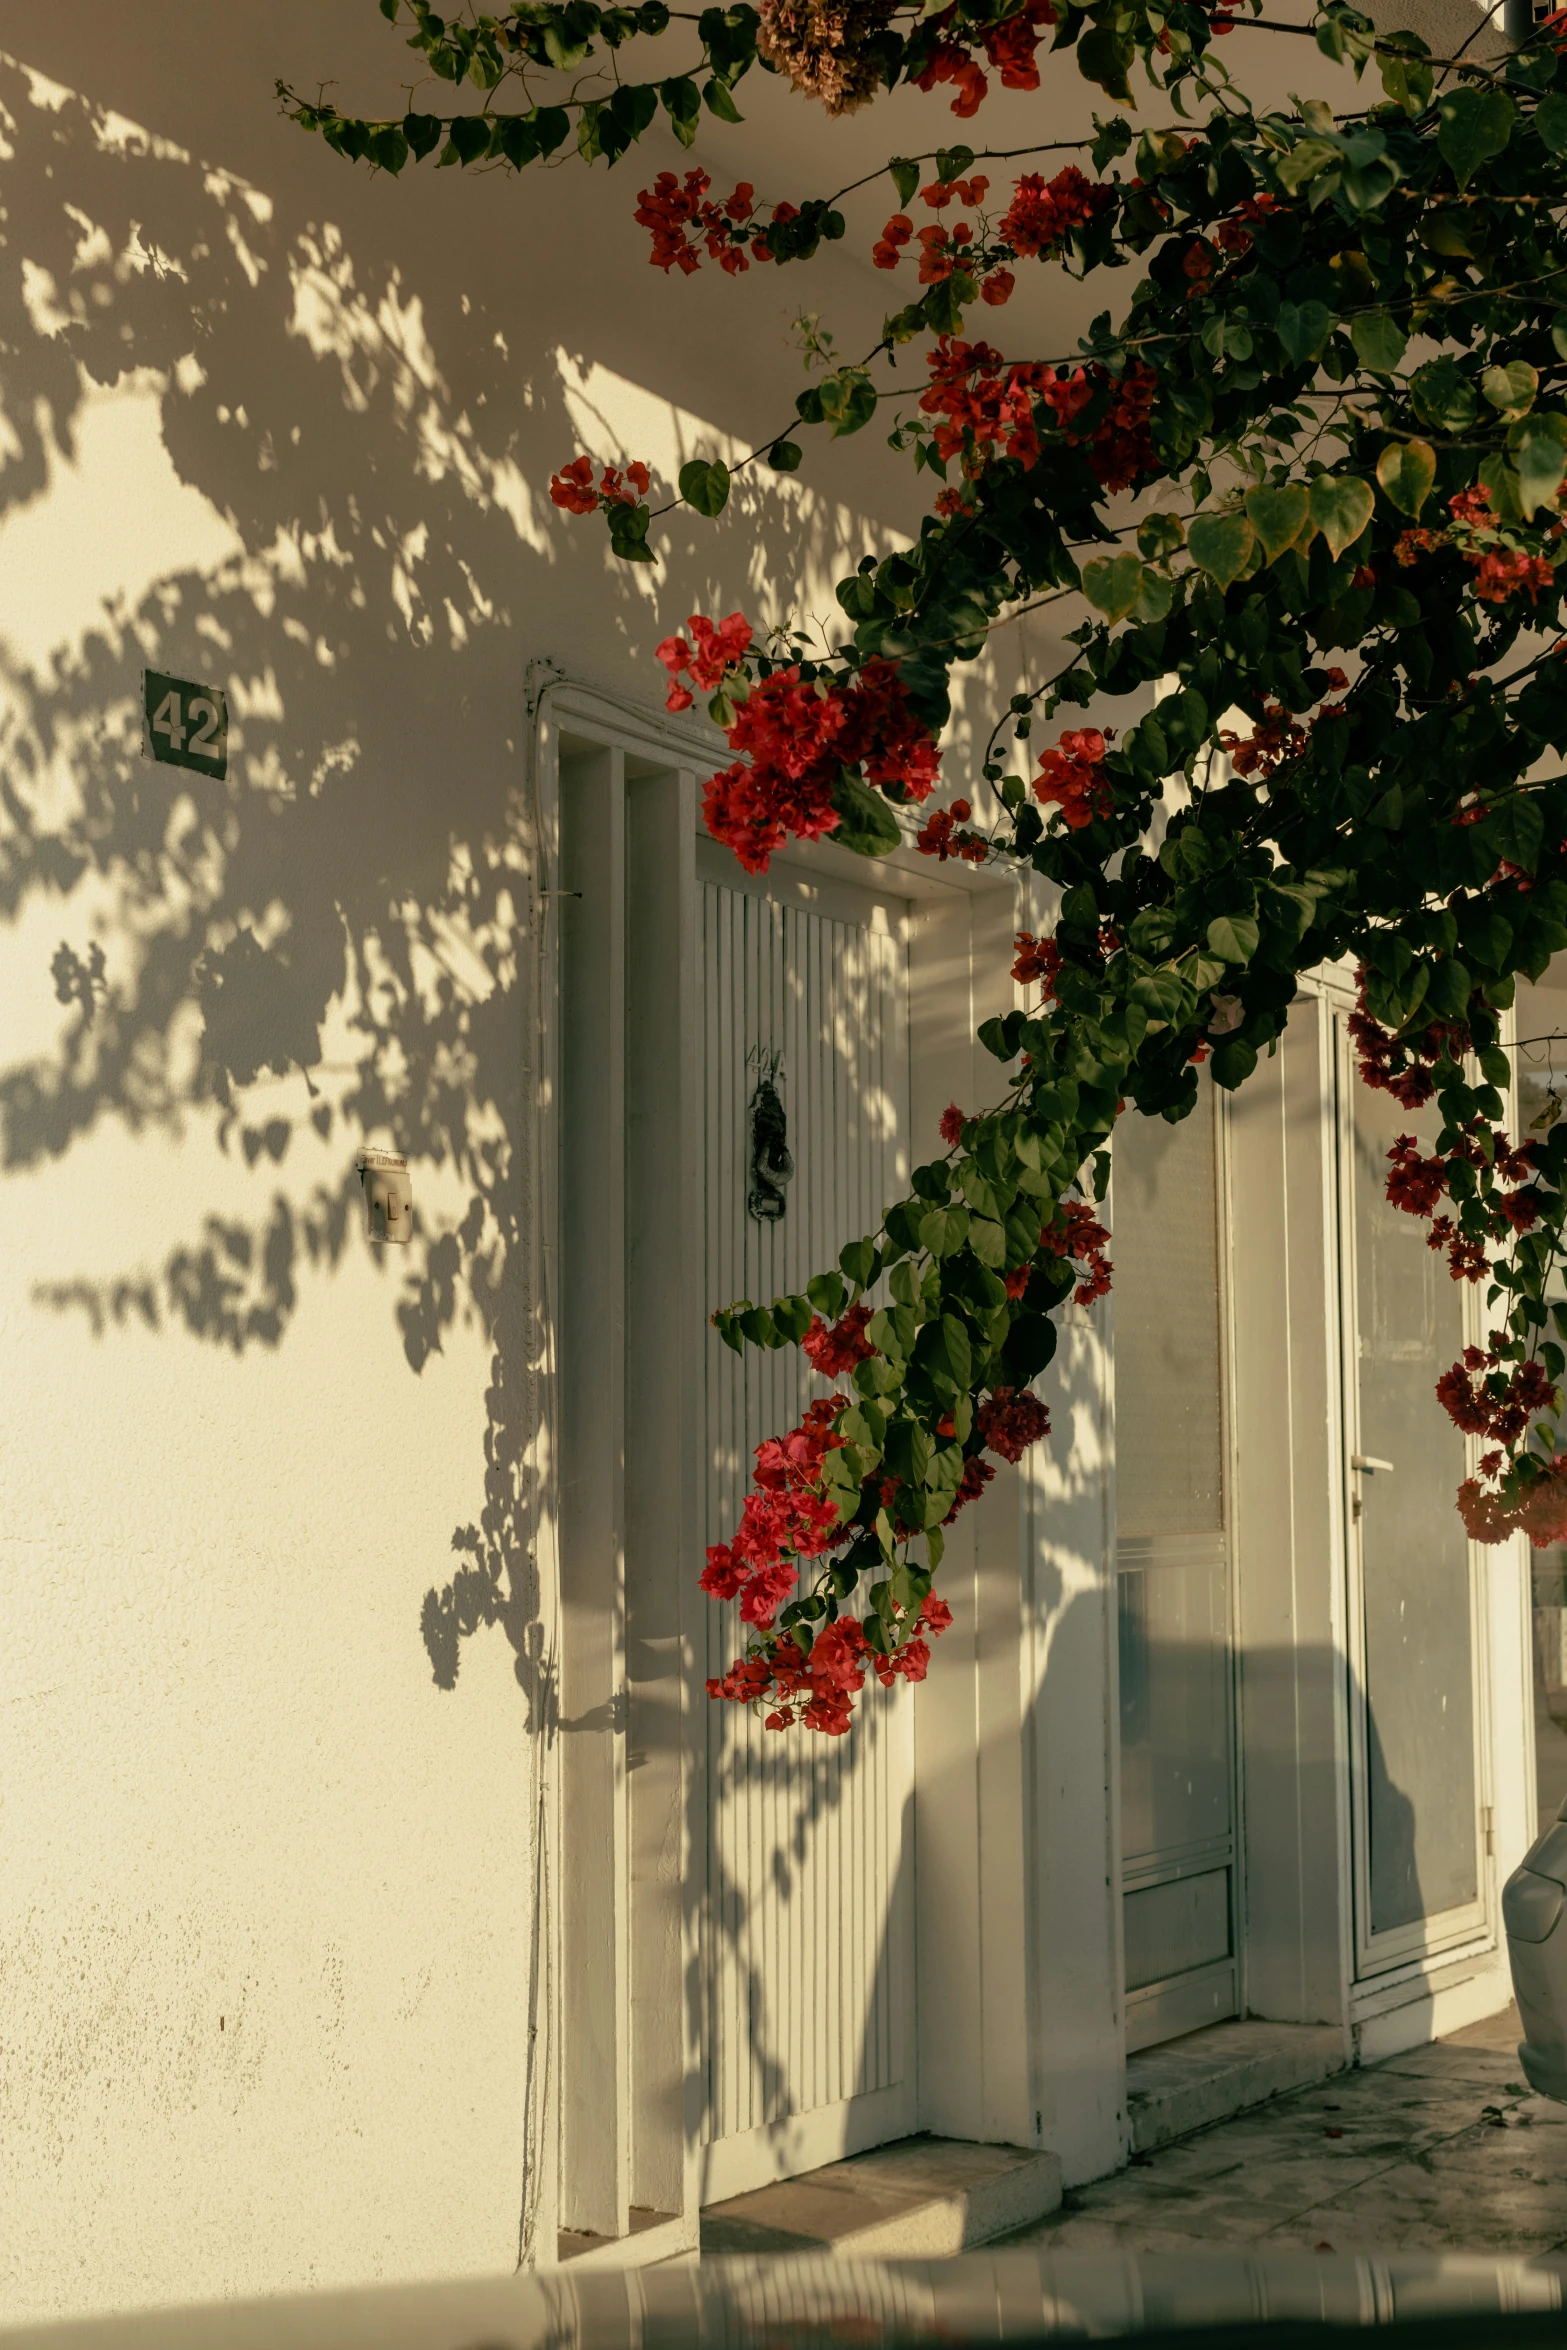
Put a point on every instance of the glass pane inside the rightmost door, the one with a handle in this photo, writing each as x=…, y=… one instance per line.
x=1420, y=1712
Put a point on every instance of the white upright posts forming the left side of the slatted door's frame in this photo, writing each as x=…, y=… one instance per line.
x=614, y=1242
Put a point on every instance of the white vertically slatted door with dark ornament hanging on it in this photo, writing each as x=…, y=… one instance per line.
x=807, y=1945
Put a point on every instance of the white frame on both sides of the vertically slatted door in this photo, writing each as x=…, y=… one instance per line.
x=626, y=1884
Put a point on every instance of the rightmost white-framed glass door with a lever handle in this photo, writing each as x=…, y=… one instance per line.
x=1413, y=1578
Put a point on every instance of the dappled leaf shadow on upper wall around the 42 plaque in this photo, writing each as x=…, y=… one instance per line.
x=339, y=939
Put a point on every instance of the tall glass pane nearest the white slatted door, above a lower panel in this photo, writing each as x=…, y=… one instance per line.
x=1176, y=1778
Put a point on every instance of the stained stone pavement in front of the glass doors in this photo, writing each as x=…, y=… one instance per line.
x=1437, y=2151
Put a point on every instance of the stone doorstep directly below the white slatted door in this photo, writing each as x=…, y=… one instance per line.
x=920, y=2198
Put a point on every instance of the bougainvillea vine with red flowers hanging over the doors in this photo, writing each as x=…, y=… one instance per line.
x=1300, y=497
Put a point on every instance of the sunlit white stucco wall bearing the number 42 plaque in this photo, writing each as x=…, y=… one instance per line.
x=267, y=1872
